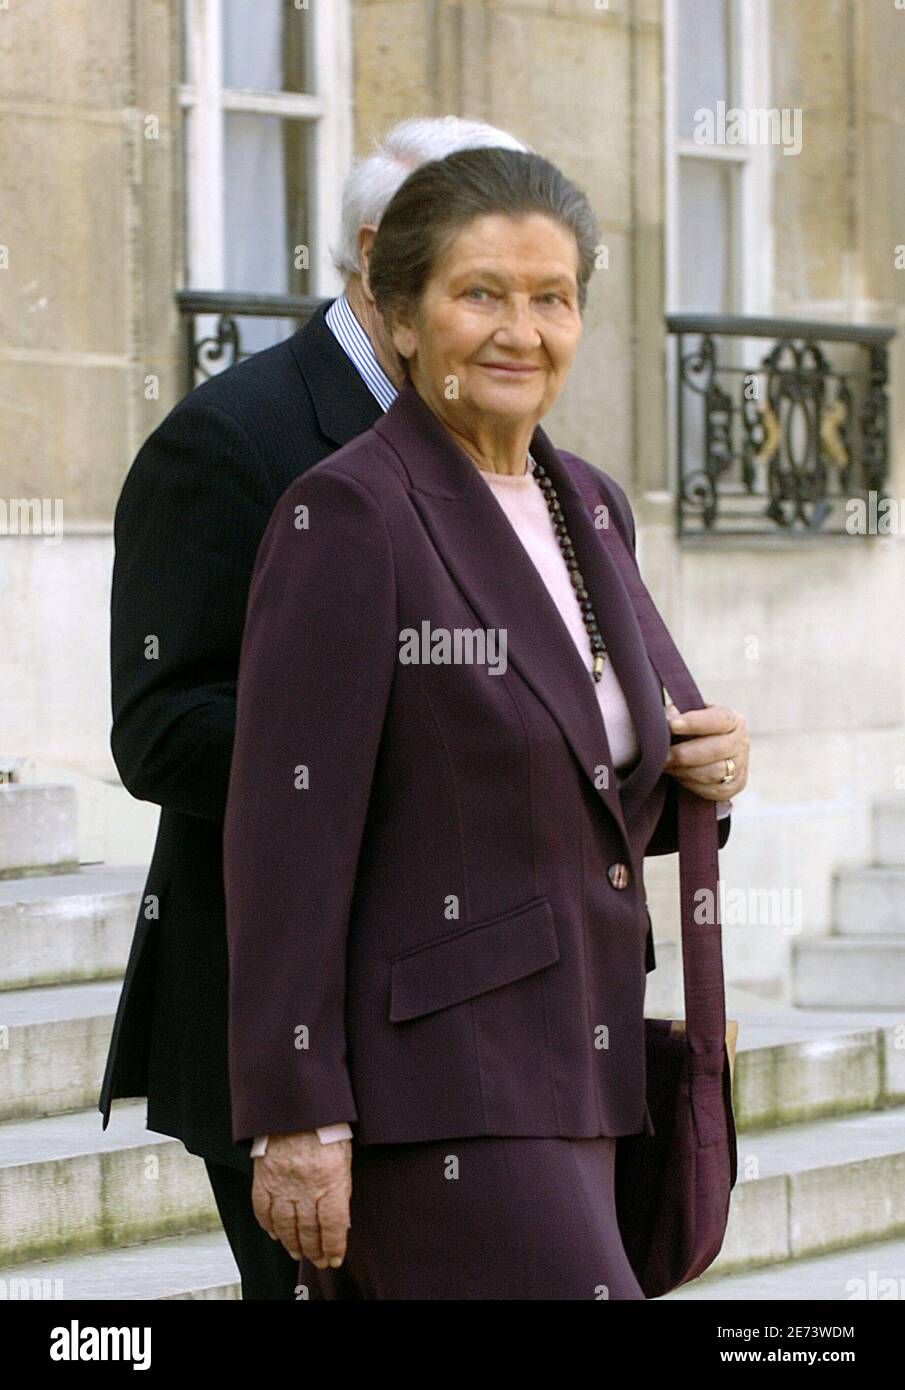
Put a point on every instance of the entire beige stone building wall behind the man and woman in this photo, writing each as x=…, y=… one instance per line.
x=807, y=641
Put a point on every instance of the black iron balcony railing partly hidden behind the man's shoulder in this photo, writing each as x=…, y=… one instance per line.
x=213, y=334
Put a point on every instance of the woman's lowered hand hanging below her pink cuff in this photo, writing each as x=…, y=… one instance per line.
x=301, y=1196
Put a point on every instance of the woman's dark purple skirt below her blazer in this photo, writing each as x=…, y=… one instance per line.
x=482, y=1218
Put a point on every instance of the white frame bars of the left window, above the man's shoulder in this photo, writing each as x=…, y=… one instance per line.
x=206, y=101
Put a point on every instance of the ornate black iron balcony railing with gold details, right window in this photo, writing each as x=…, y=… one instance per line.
x=778, y=440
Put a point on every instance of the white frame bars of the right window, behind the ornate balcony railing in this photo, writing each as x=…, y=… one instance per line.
x=753, y=215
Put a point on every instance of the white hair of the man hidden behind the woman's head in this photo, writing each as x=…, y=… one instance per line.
x=376, y=179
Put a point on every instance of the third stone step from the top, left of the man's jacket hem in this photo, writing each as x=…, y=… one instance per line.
x=55, y=1047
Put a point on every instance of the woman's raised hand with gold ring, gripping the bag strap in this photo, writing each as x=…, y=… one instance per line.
x=710, y=737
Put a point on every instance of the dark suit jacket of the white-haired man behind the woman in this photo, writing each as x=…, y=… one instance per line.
x=190, y=521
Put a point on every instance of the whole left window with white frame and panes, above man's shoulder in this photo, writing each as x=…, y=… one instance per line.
x=268, y=133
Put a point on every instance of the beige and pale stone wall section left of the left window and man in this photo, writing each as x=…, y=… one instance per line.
x=92, y=219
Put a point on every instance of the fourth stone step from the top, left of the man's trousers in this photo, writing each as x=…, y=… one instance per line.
x=67, y=1186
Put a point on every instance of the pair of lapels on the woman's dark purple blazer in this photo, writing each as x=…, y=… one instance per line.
x=505, y=590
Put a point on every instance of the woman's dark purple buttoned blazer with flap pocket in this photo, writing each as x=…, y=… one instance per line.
x=436, y=901
